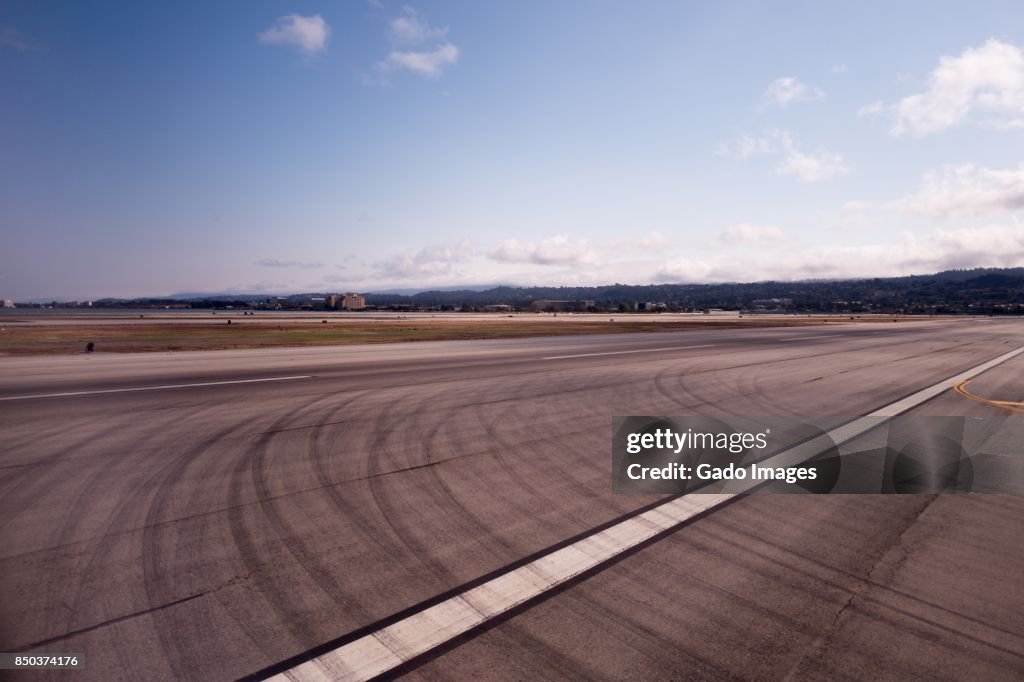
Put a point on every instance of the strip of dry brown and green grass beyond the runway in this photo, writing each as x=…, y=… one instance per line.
x=172, y=335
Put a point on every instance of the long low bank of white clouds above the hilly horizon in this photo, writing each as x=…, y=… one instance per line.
x=771, y=254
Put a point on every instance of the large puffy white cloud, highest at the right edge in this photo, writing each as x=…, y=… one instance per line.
x=985, y=84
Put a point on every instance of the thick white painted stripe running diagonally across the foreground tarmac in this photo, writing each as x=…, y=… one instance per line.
x=390, y=648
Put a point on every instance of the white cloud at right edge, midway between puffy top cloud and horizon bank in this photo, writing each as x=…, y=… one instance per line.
x=968, y=189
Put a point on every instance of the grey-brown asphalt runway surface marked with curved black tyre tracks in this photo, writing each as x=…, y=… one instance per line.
x=211, y=515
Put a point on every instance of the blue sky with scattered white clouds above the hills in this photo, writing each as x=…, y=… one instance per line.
x=148, y=149
